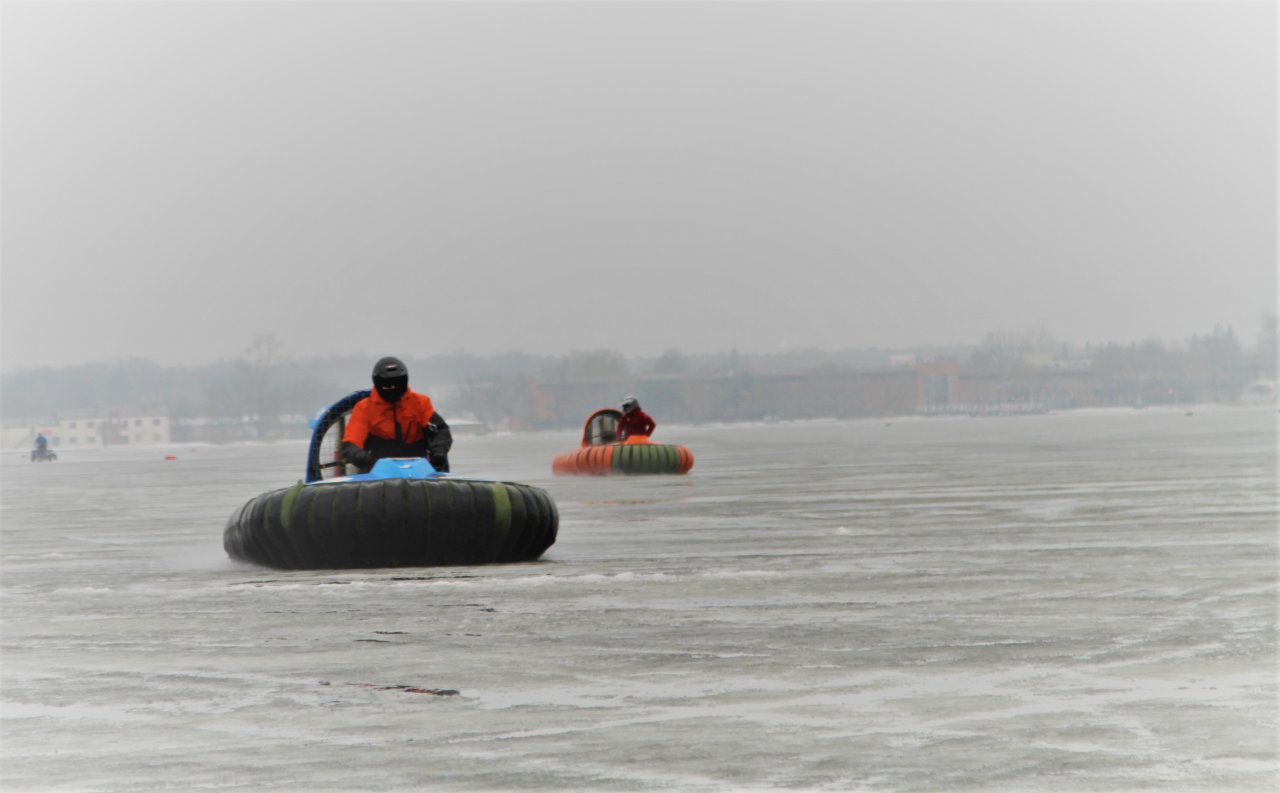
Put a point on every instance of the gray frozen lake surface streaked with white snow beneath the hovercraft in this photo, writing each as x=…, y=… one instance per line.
x=1078, y=602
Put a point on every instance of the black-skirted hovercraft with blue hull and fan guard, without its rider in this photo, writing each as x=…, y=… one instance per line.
x=401, y=514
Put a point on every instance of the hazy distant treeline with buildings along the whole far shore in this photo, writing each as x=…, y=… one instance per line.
x=267, y=393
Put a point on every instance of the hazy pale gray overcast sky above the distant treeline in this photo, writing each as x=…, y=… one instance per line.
x=422, y=178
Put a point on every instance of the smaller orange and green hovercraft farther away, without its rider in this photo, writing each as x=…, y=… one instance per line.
x=604, y=455
